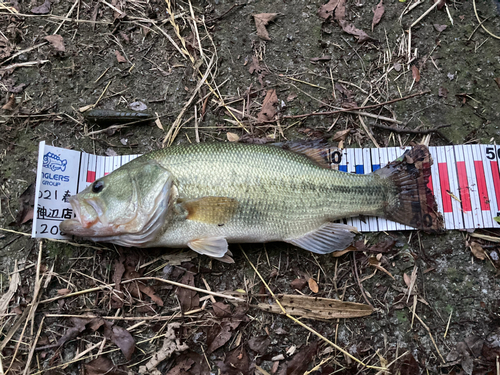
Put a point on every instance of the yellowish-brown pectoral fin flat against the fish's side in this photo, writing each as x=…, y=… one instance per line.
x=211, y=210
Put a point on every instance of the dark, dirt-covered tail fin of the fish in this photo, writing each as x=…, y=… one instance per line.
x=413, y=203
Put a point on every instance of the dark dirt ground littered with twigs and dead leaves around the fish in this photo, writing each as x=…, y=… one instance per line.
x=443, y=320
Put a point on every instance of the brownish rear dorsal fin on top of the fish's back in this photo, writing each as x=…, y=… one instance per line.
x=322, y=153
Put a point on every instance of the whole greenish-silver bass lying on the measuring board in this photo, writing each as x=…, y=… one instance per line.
x=205, y=196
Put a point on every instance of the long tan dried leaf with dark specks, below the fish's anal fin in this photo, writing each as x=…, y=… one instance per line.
x=317, y=308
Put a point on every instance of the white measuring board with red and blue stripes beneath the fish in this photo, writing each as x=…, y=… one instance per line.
x=465, y=180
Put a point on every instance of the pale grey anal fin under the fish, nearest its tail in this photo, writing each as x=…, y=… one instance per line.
x=326, y=239
